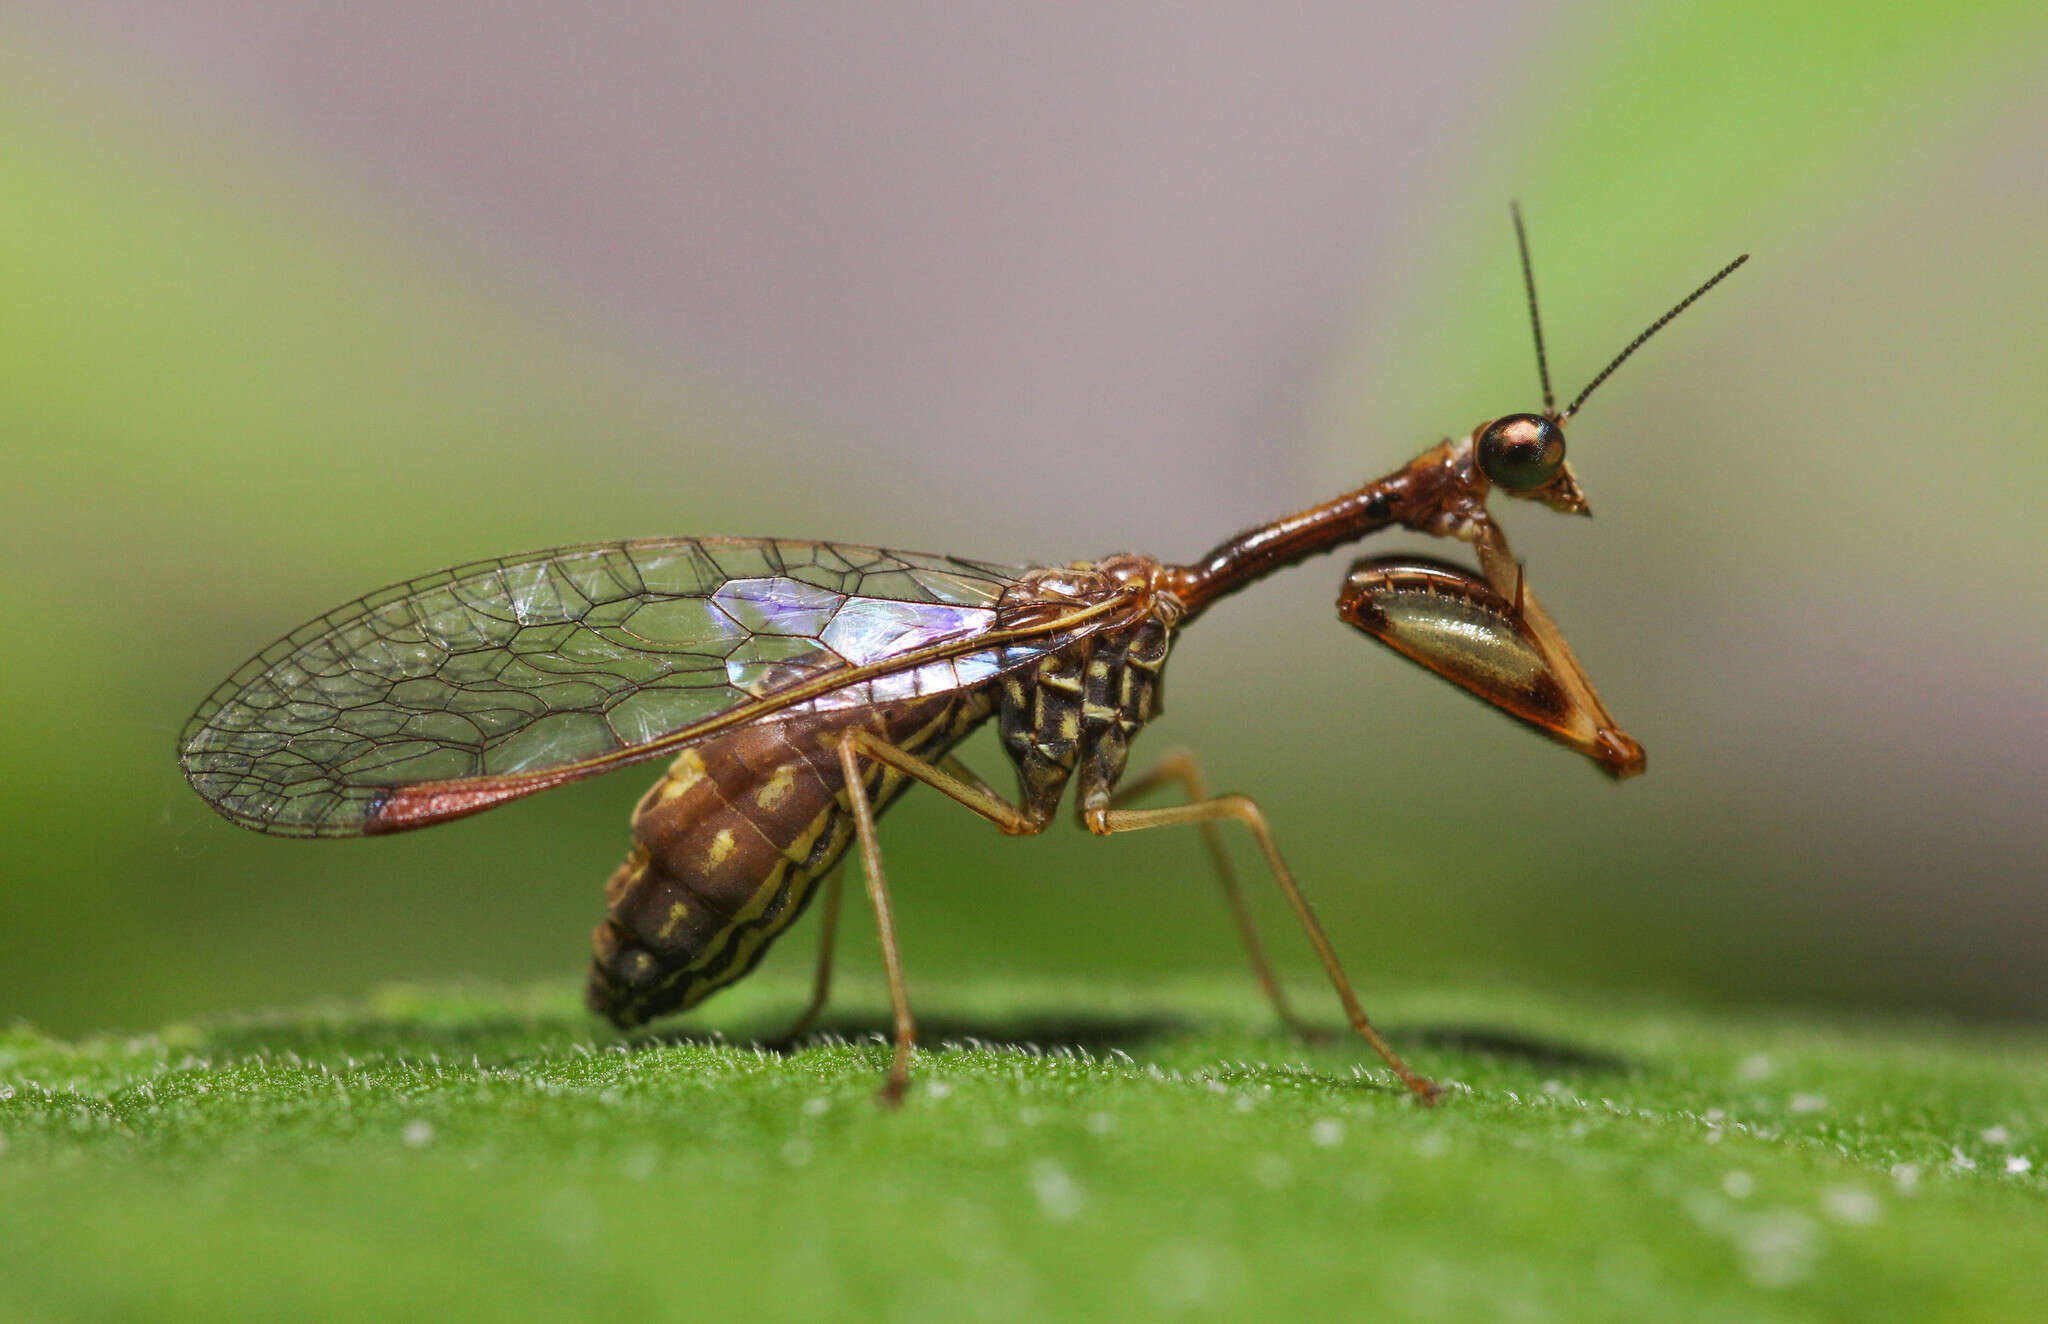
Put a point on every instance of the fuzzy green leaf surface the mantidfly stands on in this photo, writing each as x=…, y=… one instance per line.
x=1066, y=1153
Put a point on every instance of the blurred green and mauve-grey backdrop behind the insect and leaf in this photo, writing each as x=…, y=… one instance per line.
x=273, y=333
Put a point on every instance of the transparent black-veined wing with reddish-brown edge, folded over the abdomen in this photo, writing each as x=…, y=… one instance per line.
x=507, y=677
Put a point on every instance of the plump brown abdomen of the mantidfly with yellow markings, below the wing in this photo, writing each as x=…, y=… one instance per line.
x=728, y=850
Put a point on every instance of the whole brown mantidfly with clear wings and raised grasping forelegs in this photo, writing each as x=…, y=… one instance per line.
x=802, y=688
